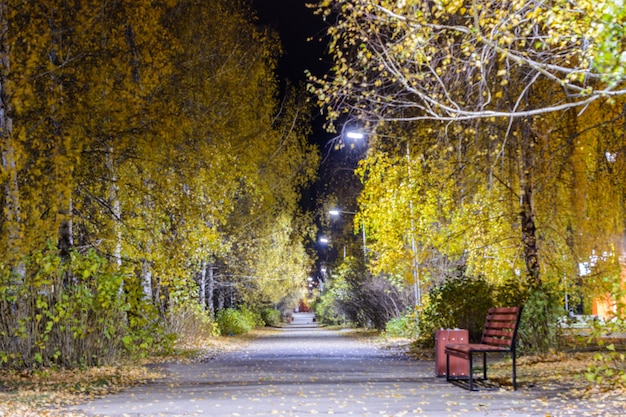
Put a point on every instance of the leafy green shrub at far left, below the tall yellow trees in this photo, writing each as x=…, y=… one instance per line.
x=63, y=313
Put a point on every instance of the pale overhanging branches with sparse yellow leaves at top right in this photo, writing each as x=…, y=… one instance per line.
x=453, y=59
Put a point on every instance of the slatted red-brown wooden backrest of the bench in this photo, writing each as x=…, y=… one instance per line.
x=501, y=327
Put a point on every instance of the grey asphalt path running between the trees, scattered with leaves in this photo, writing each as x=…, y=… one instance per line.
x=303, y=370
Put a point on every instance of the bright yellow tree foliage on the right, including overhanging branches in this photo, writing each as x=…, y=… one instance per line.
x=511, y=111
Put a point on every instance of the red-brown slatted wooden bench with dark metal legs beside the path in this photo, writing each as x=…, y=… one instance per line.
x=499, y=334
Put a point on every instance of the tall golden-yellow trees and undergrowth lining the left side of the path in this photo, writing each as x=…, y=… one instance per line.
x=157, y=139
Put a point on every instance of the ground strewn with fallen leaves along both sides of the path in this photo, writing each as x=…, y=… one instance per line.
x=41, y=392
